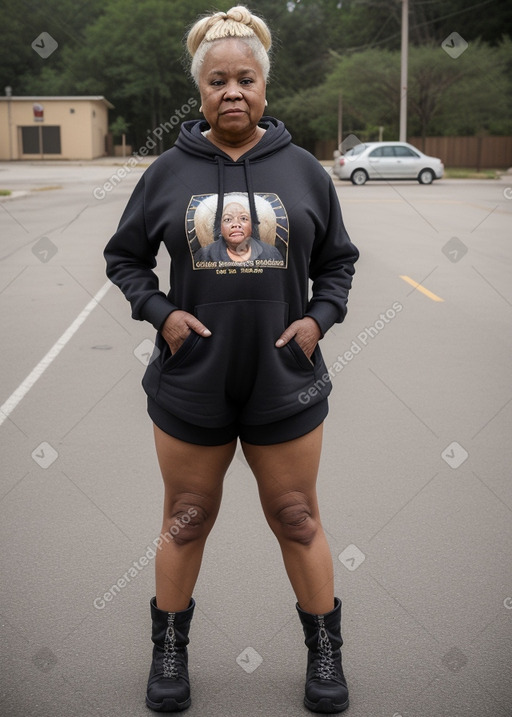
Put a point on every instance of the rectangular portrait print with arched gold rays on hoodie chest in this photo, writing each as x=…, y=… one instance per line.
x=229, y=236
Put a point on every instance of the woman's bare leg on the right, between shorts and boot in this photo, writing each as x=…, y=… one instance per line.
x=286, y=475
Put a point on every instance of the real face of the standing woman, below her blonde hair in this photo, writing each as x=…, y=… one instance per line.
x=232, y=88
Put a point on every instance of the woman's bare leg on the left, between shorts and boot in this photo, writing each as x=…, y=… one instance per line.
x=193, y=477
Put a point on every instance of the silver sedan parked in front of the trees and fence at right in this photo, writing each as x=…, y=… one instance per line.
x=386, y=160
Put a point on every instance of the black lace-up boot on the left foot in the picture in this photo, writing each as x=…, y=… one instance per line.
x=168, y=684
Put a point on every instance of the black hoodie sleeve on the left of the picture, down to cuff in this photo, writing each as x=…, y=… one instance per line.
x=131, y=257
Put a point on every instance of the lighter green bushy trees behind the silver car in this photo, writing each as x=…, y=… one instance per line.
x=466, y=95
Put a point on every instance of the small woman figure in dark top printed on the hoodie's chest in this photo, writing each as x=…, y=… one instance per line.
x=236, y=242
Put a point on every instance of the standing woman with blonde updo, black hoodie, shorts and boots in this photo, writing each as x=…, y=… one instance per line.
x=236, y=347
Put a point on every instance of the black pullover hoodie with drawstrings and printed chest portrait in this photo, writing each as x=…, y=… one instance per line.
x=297, y=234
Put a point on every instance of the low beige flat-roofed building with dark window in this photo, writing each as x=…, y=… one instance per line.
x=53, y=127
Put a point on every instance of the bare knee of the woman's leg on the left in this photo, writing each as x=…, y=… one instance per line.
x=188, y=519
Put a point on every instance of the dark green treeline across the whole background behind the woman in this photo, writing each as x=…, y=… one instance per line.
x=133, y=53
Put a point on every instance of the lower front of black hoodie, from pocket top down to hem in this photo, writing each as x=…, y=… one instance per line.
x=237, y=372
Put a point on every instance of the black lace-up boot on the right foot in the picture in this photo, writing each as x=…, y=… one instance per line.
x=326, y=687
